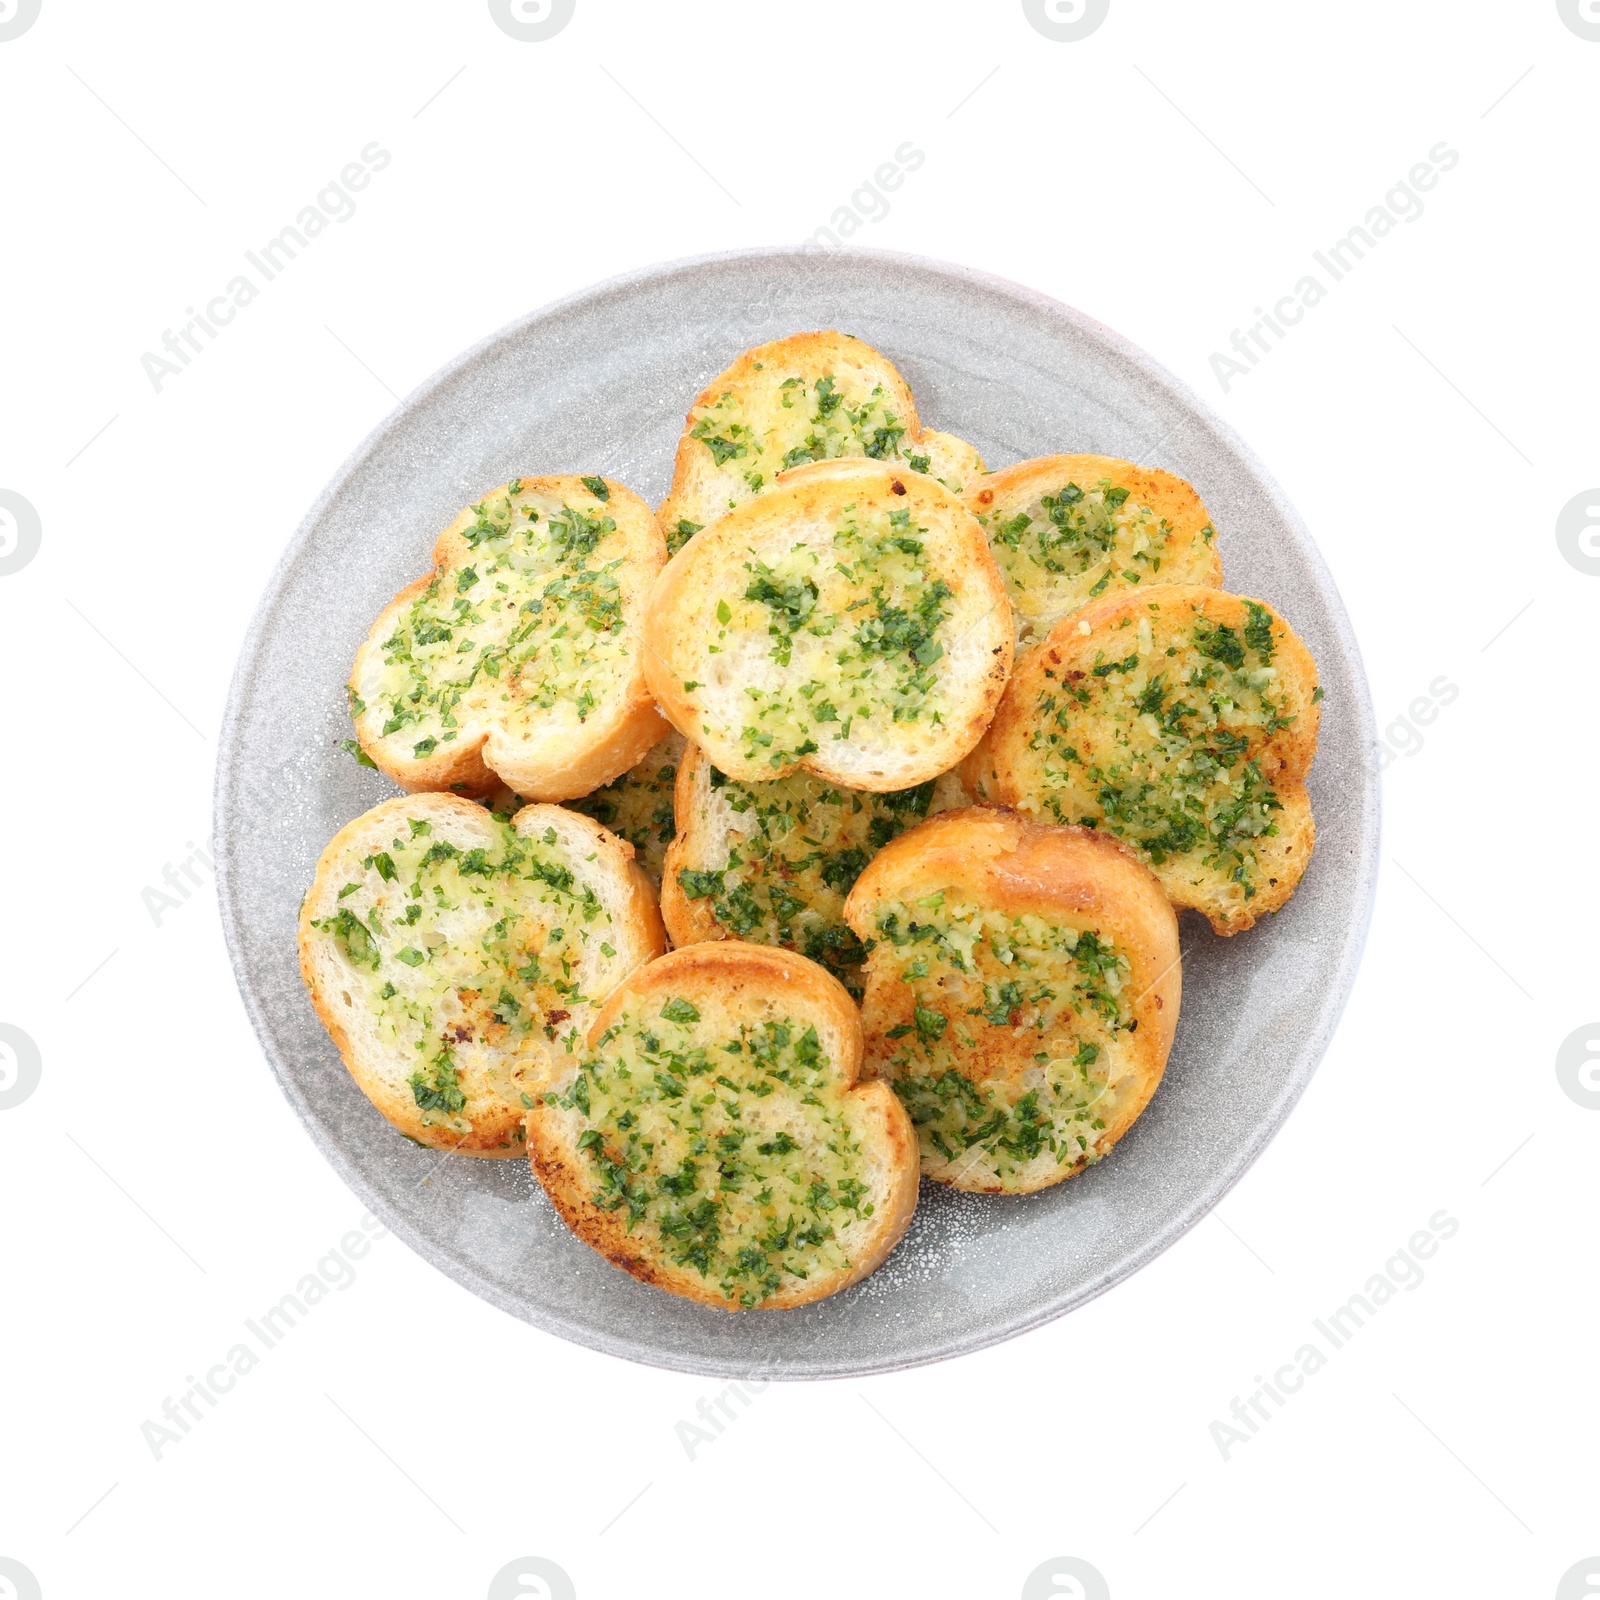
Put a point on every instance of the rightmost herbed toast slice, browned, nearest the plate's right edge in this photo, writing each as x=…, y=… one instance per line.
x=1182, y=721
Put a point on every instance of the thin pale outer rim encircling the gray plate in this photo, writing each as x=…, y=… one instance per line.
x=1182, y=1223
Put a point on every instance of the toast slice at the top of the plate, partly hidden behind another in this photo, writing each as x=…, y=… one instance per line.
x=807, y=398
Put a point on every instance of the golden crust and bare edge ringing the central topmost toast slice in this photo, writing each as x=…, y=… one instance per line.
x=682, y=622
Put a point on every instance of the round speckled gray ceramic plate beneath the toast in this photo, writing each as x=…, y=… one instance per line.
x=601, y=385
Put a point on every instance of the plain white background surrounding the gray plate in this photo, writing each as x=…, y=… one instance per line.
x=1167, y=175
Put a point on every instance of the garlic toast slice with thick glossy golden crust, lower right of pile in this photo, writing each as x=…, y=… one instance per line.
x=1023, y=994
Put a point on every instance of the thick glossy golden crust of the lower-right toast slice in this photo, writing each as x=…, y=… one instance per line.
x=1006, y=863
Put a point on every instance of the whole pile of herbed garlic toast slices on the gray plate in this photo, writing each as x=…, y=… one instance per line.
x=825, y=828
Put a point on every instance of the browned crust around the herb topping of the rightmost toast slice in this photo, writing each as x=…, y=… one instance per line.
x=1009, y=767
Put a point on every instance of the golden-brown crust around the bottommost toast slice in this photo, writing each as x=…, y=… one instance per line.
x=751, y=983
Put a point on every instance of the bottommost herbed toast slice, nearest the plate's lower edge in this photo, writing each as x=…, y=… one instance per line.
x=716, y=1142
